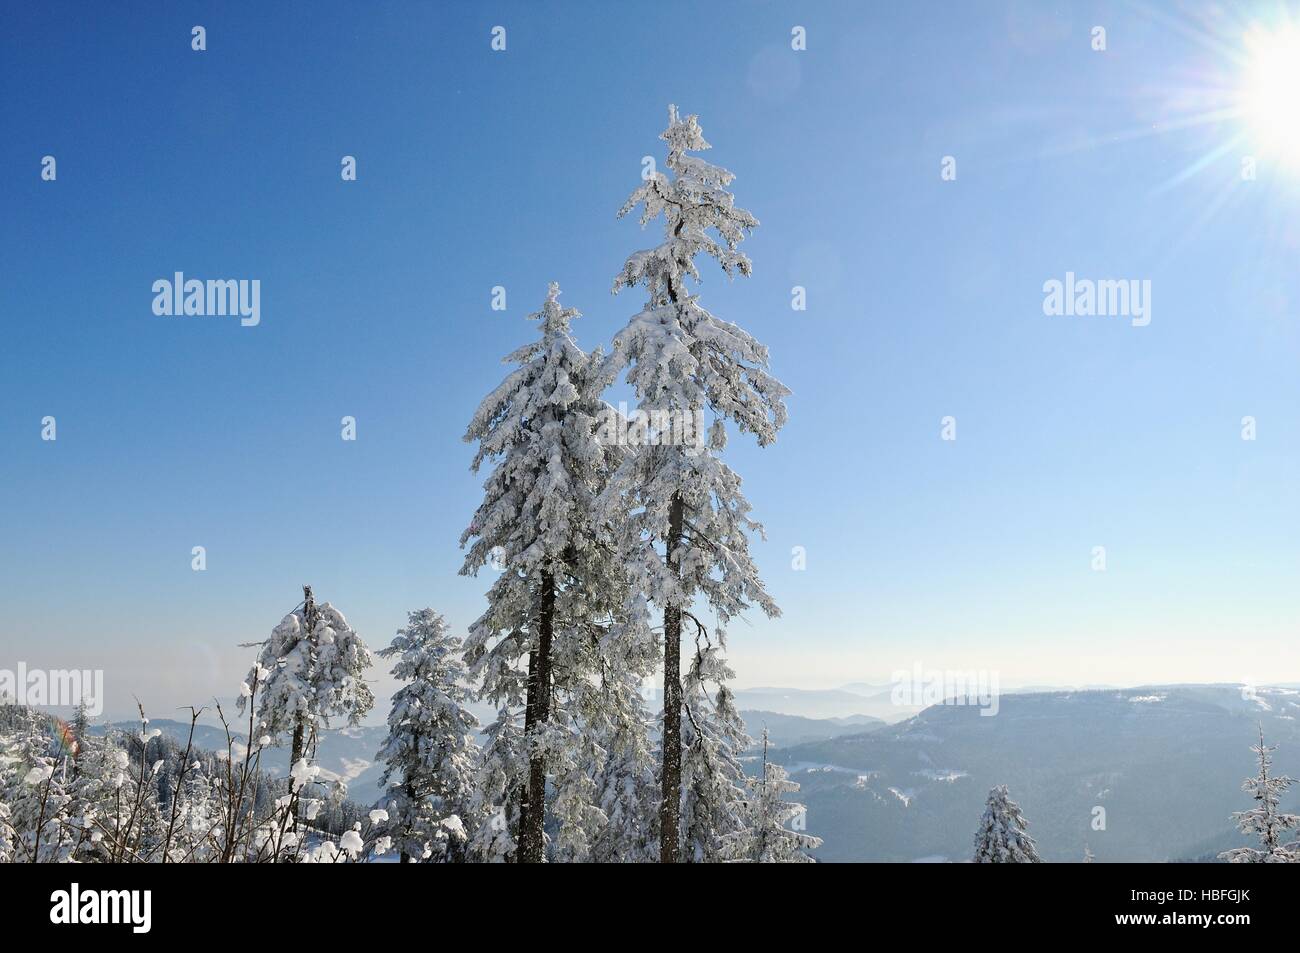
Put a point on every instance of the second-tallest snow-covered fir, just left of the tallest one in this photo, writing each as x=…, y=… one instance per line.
x=539, y=527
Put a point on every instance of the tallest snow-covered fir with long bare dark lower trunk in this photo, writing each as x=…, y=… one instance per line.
x=691, y=530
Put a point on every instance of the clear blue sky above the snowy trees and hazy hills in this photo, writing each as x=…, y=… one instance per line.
x=482, y=168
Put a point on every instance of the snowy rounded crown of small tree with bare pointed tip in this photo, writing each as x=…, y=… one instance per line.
x=310, y=672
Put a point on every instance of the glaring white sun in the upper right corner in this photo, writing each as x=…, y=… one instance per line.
x=1271, y=93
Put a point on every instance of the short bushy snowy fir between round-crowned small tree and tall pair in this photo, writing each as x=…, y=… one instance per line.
x=430, y=756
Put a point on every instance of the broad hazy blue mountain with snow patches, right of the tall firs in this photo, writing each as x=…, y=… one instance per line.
x=1163, y=764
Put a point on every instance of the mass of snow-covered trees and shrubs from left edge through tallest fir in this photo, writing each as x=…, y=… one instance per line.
x=612, y=540
